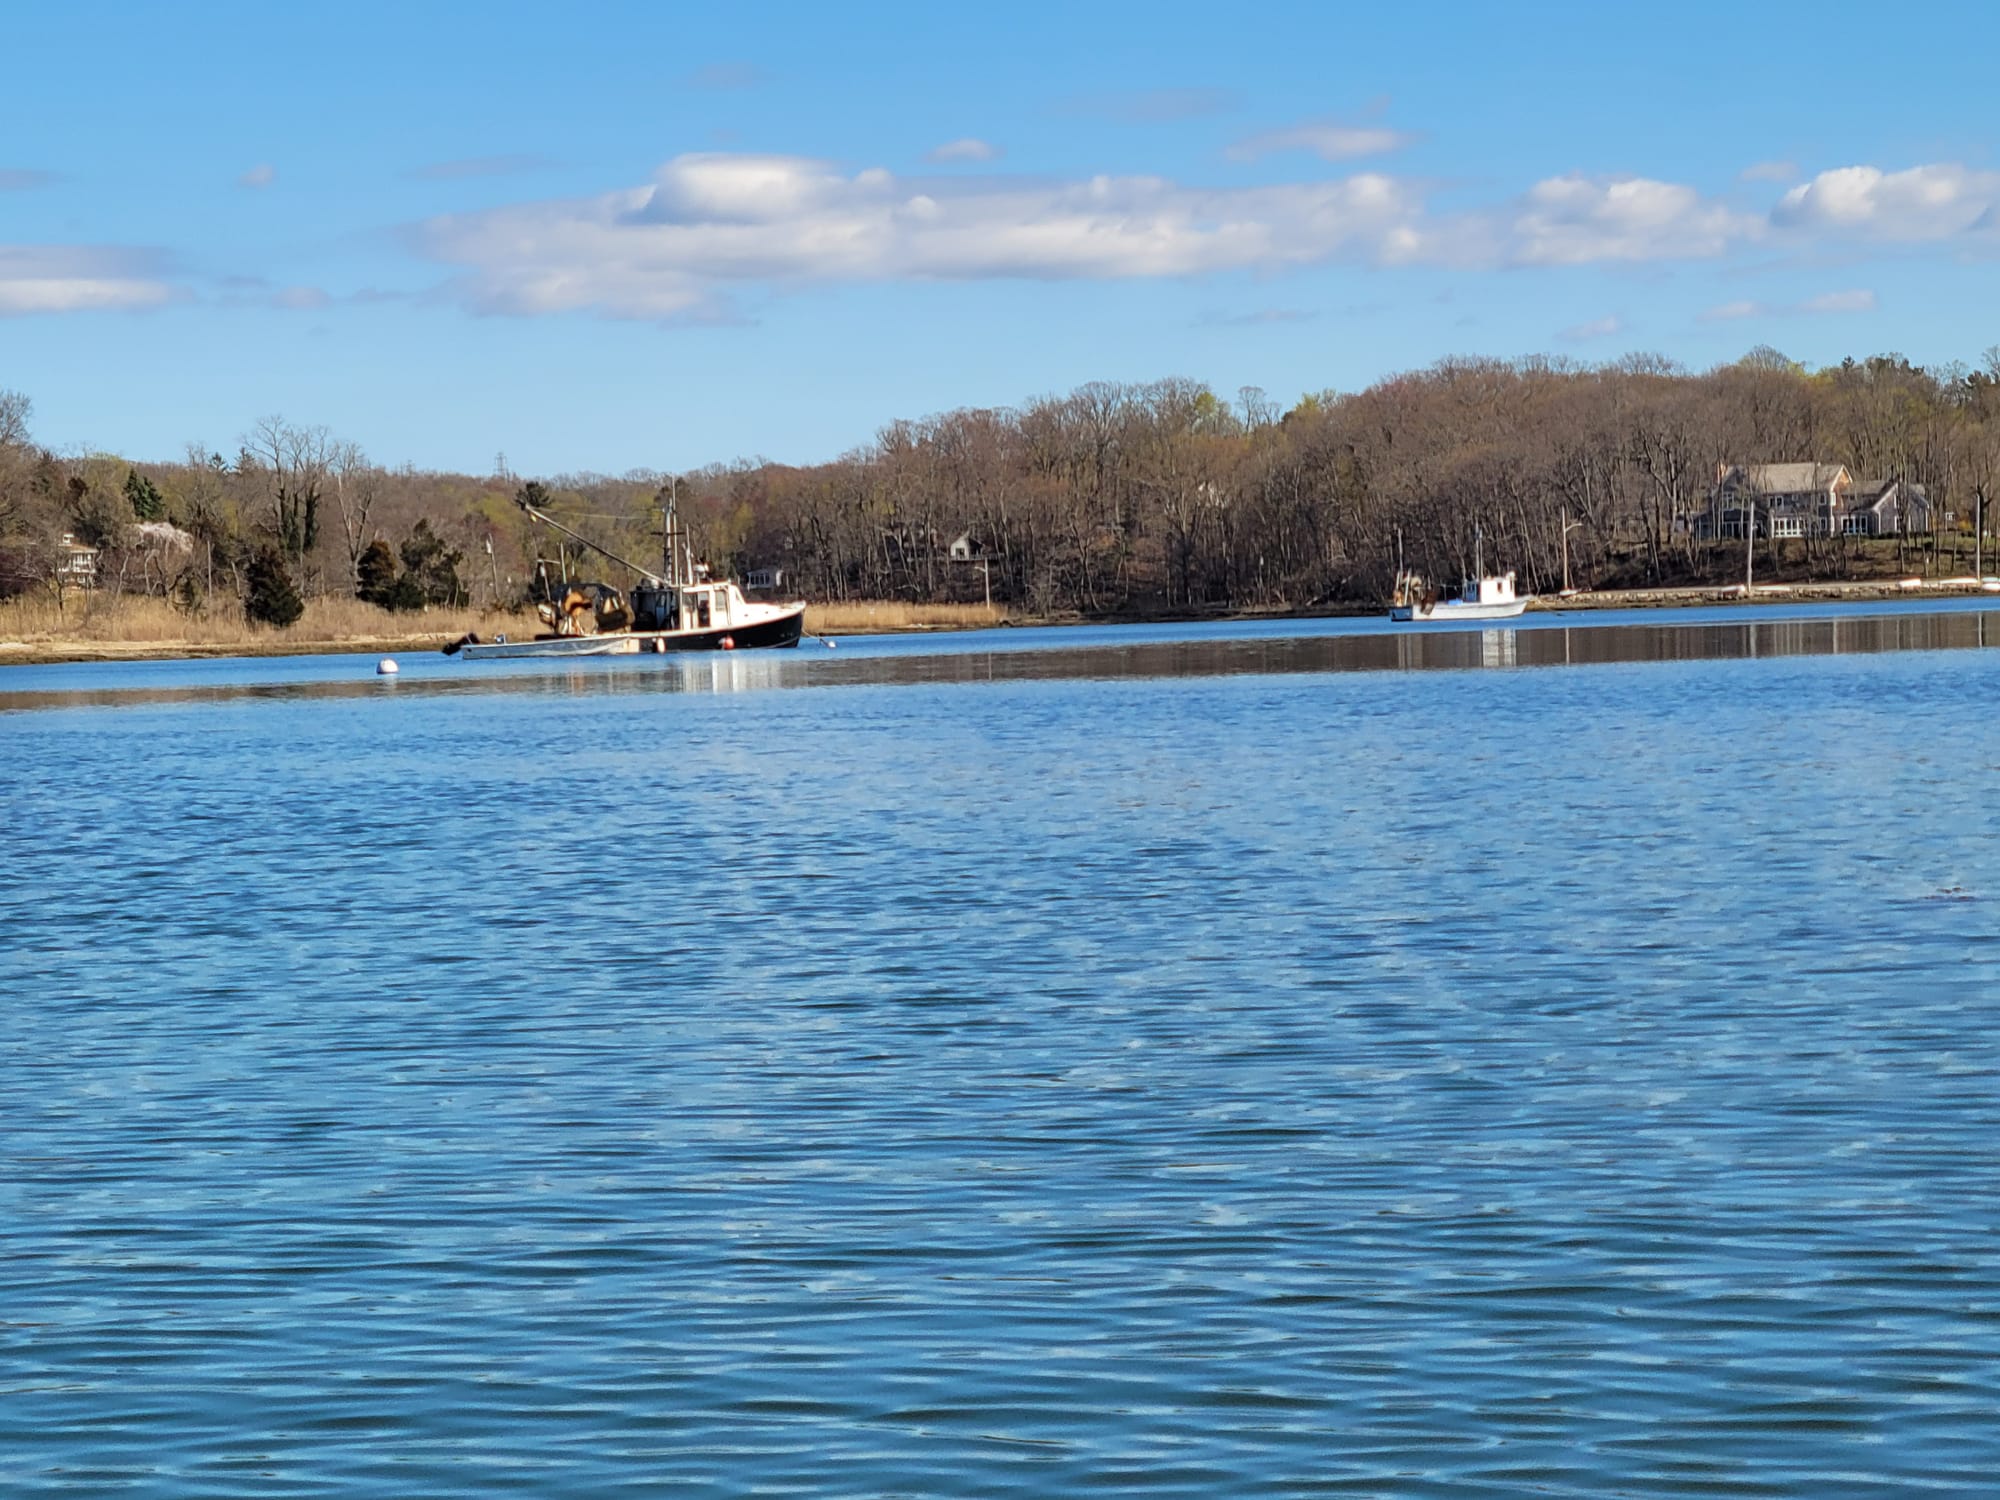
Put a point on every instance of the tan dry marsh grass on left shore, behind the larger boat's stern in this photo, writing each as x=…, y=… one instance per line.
x=127, y=621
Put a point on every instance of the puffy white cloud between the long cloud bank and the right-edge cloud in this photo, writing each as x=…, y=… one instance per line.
x=1577, y=221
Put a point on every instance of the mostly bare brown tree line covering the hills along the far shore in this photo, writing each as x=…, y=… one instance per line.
x=1115, y=499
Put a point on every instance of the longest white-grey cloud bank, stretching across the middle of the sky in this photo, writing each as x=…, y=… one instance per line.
x=715, y=221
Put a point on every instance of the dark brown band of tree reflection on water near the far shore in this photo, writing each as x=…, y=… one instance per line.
x=911, y=663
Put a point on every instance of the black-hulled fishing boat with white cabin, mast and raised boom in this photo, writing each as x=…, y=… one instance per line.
x=675, y=611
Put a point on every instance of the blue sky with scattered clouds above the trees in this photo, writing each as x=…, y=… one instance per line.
x=643, y=235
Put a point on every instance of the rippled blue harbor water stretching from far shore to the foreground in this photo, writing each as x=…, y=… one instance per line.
x=1179, y=1063
